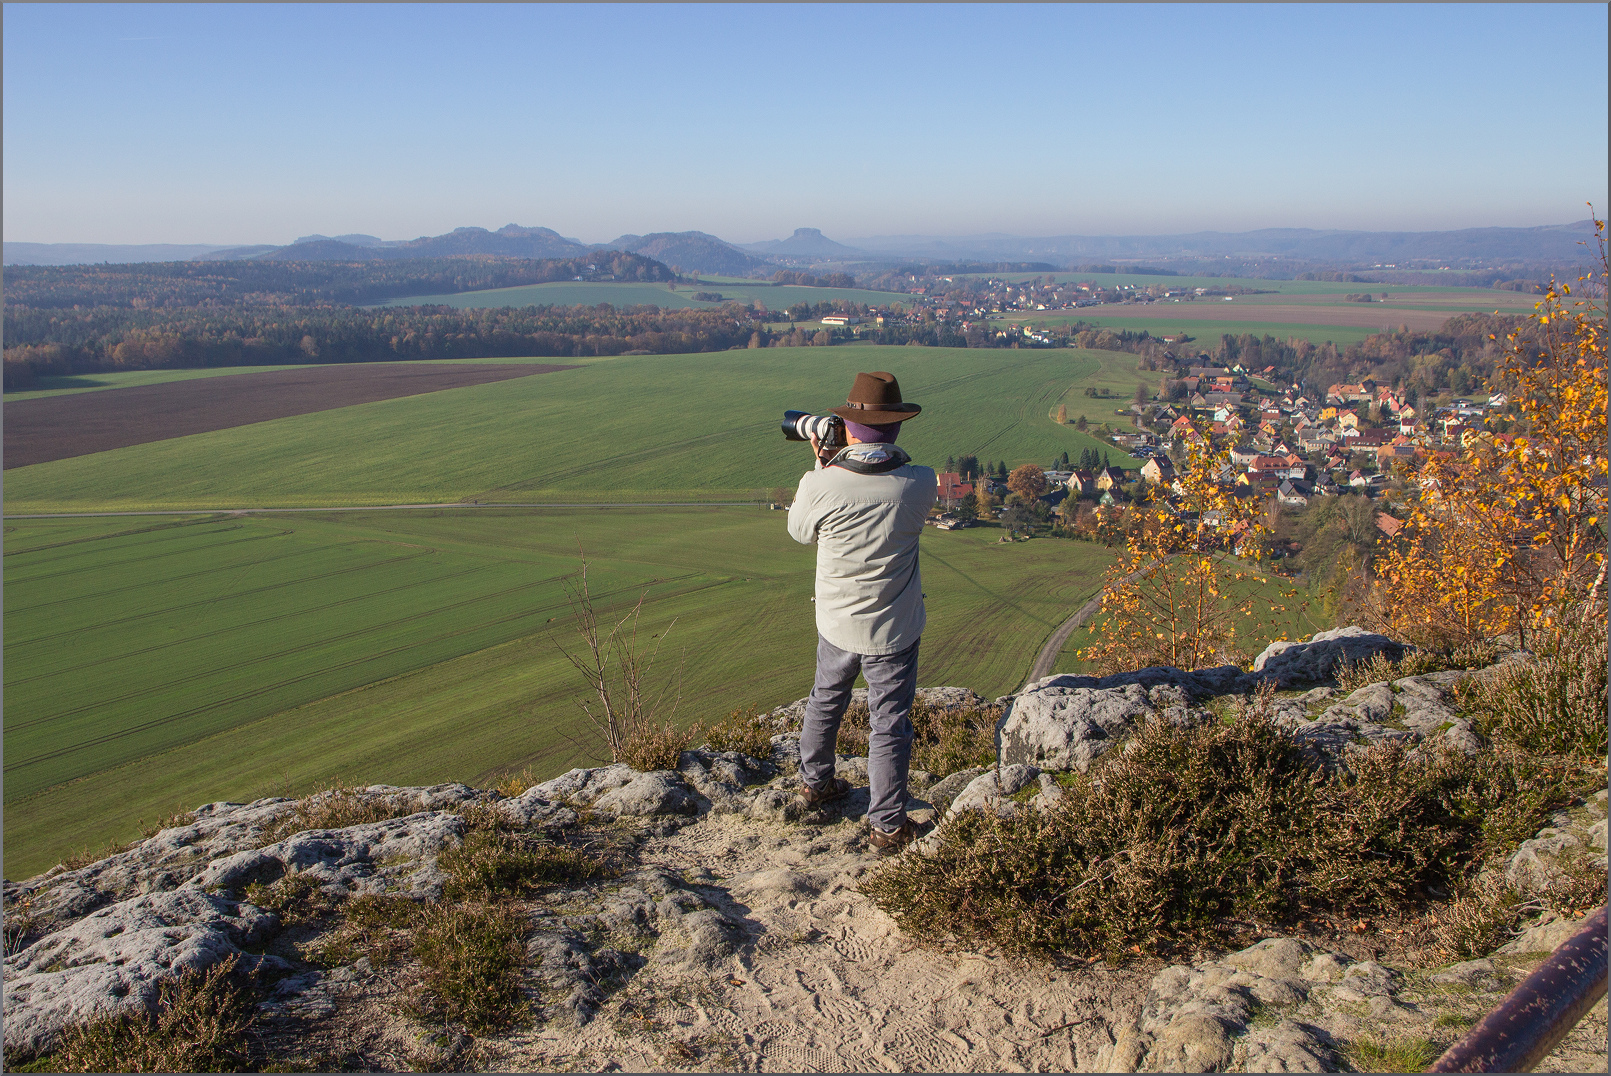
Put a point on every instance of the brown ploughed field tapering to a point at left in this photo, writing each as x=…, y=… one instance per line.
x=59, y=428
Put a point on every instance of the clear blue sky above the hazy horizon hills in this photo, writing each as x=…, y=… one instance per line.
x=260, y=123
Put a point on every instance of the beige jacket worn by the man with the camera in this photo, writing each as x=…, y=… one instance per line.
x=866, y=528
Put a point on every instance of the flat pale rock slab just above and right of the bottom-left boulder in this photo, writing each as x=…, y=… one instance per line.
x=392, y=856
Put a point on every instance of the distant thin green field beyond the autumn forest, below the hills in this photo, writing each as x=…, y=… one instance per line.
x=632, y=294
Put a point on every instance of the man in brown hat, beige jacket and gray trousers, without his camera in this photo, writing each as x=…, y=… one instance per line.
x=864, y=507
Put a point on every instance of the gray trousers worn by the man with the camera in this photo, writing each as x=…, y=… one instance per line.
x=892, y=685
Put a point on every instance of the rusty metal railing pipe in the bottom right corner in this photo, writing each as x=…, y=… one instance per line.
x=1539, y=1012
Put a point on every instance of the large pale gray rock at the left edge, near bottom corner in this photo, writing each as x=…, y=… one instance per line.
x=115, y=959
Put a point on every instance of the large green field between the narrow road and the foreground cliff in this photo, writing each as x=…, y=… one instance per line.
x=155, y=664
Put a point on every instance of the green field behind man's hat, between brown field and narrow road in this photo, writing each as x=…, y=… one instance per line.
x=624, y=429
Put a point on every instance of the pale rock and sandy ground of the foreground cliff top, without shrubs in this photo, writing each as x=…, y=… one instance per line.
x=735, y=911
